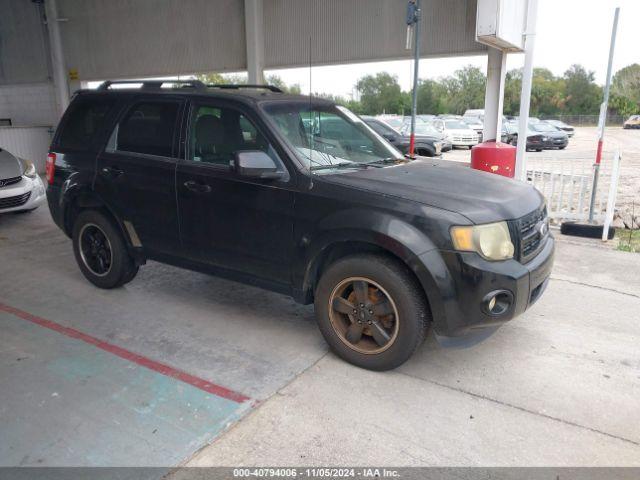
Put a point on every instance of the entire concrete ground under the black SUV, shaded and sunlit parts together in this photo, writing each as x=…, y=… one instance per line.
x=557, y=386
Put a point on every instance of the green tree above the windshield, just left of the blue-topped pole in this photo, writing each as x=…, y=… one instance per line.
x=381, y=93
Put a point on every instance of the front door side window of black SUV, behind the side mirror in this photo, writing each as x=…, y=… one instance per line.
x=217, y=133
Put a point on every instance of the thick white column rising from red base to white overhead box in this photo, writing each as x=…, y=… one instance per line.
x=494, y=95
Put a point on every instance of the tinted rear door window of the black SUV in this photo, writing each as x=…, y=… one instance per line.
x=148, y=128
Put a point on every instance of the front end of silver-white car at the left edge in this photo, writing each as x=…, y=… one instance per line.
x=21, y=189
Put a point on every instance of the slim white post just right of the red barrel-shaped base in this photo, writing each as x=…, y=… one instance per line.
x=525, y=94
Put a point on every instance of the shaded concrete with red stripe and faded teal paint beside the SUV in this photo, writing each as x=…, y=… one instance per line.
x=95, y=377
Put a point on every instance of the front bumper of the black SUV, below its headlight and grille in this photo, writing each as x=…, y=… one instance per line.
x=463, y=281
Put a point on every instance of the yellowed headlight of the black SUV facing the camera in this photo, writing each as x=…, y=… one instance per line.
x=492, y=241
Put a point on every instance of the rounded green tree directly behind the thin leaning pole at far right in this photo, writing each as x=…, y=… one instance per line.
x=583, y=96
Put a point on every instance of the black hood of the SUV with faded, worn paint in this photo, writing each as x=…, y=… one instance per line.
x=480, y=196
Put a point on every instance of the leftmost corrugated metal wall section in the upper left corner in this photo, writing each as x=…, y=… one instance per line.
x=23, y=55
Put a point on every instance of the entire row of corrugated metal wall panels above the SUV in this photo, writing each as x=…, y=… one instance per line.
x=134, y=38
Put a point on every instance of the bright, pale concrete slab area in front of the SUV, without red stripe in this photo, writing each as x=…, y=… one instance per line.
x=558, y=386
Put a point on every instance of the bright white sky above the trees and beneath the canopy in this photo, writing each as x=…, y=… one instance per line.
x=569, y=31
